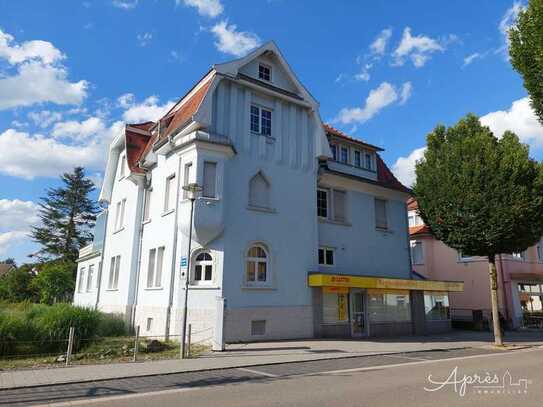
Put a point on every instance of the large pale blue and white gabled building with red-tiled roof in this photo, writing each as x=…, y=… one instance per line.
x=300, y=231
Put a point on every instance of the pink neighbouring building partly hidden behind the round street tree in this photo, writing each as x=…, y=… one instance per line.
x=520, y=275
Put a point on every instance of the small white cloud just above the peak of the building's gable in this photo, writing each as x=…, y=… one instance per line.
x=233, y=42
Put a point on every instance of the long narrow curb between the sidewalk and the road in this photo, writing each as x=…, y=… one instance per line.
x=227, y=368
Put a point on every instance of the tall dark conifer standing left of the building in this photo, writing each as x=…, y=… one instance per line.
x=67, y=216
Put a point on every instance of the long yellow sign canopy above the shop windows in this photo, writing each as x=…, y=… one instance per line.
x=337, y=280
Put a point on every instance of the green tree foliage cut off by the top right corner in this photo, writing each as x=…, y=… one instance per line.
x=526, y=51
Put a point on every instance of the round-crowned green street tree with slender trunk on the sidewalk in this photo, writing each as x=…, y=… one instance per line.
x=480, y=195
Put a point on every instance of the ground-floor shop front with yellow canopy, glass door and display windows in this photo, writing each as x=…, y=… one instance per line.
x=356, y=307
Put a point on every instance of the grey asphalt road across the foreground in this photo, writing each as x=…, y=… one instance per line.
x=393, y=380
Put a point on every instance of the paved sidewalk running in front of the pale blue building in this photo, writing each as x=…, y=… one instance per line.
x=263, y=353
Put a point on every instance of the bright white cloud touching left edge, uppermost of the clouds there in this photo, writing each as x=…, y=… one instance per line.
x=31, y=50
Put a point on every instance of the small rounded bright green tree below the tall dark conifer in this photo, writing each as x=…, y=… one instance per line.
x=54, y=282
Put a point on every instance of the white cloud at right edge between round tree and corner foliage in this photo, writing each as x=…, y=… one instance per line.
x=520, y=119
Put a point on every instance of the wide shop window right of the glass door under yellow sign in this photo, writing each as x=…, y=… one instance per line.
x=389, y=305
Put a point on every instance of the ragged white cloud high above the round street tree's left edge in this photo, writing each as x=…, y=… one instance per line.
x=418, y=49
